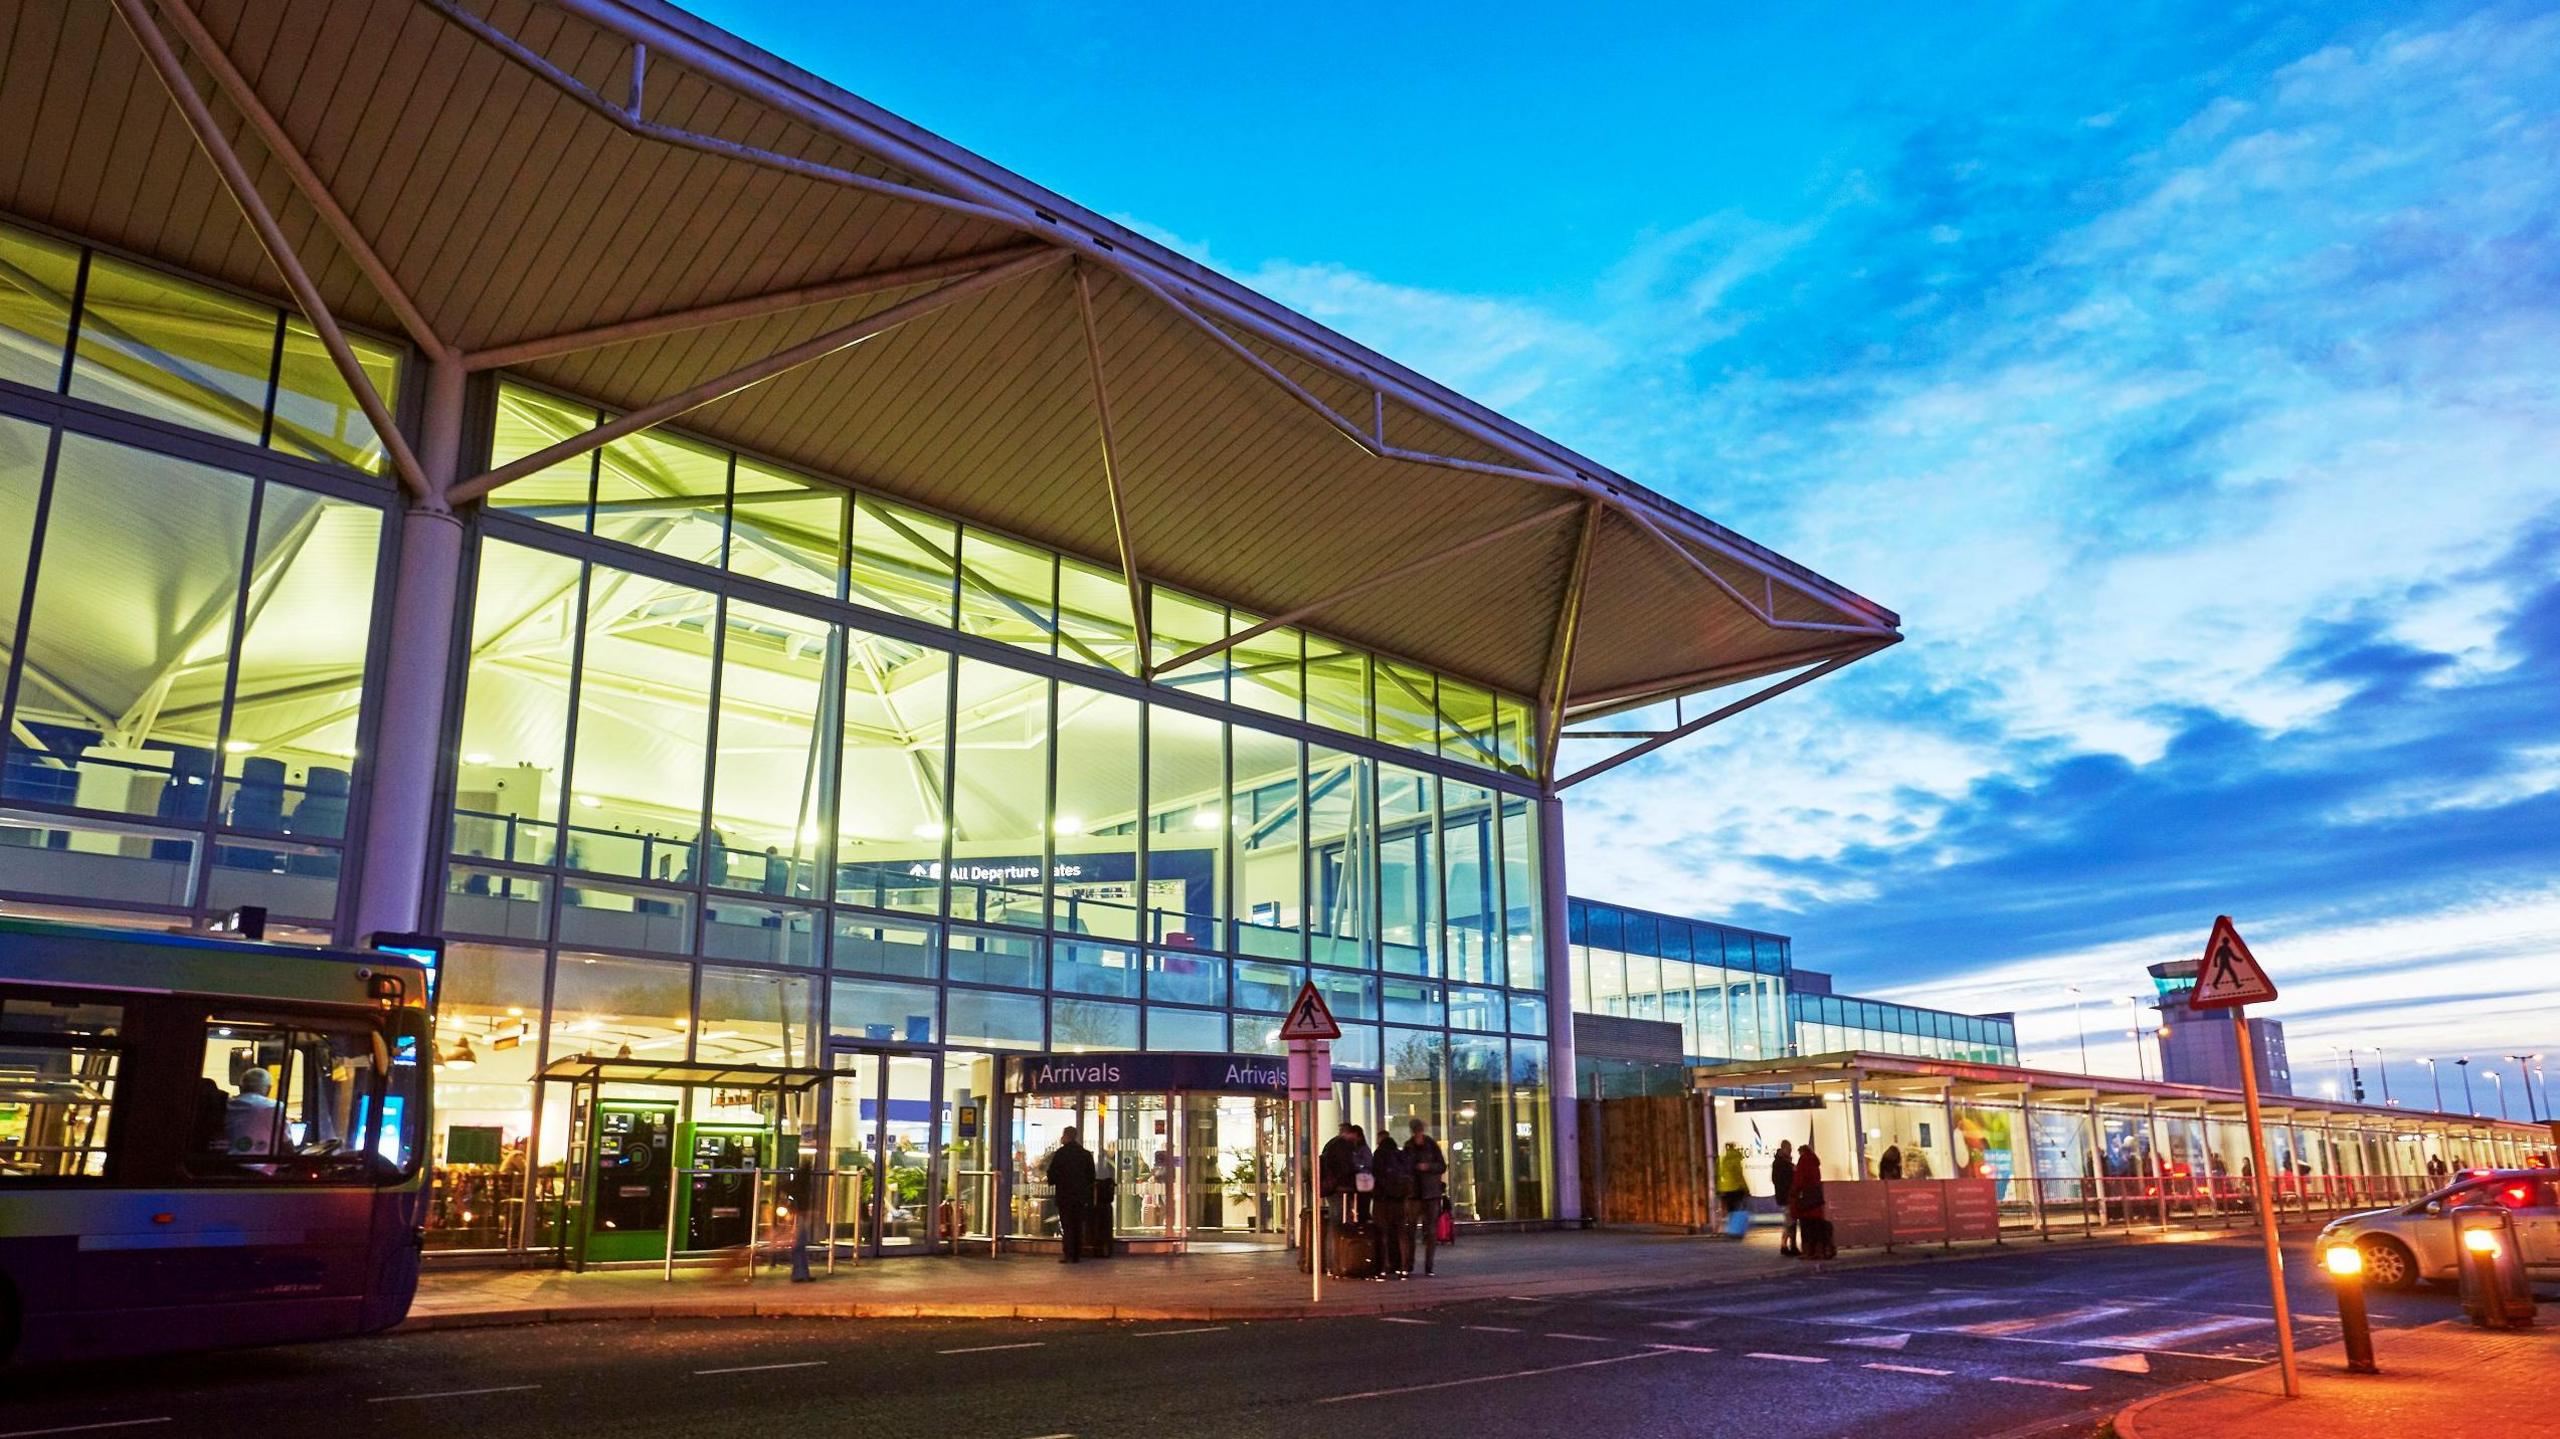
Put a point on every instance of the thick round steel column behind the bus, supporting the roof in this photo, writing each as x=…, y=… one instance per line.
x=406, y=810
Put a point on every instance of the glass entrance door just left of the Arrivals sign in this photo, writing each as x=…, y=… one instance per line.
x=884, y=1133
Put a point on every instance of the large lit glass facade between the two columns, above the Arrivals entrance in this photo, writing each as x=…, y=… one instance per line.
x=800, y=808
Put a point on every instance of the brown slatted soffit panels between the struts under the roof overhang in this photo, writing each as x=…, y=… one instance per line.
x=511, y=211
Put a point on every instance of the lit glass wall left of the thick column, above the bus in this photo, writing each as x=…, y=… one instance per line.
x=186, y=639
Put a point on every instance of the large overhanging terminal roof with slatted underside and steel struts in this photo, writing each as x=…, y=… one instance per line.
x=626, y=204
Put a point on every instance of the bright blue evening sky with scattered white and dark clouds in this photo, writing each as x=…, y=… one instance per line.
x=2188, y=378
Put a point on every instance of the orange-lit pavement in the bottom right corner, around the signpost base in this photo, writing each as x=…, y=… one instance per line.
x=2449, y=1374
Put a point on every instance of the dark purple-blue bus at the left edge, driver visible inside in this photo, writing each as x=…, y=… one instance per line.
x=206, y=1143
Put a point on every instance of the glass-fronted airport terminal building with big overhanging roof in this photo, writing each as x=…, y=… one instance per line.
x=826, y=629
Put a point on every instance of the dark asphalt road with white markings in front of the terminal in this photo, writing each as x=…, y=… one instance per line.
x=2031, y=1340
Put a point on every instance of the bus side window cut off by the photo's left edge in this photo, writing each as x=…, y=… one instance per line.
x=58, y=1084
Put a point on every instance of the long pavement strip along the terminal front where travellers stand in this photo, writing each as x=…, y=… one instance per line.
x=1158, y=1287
